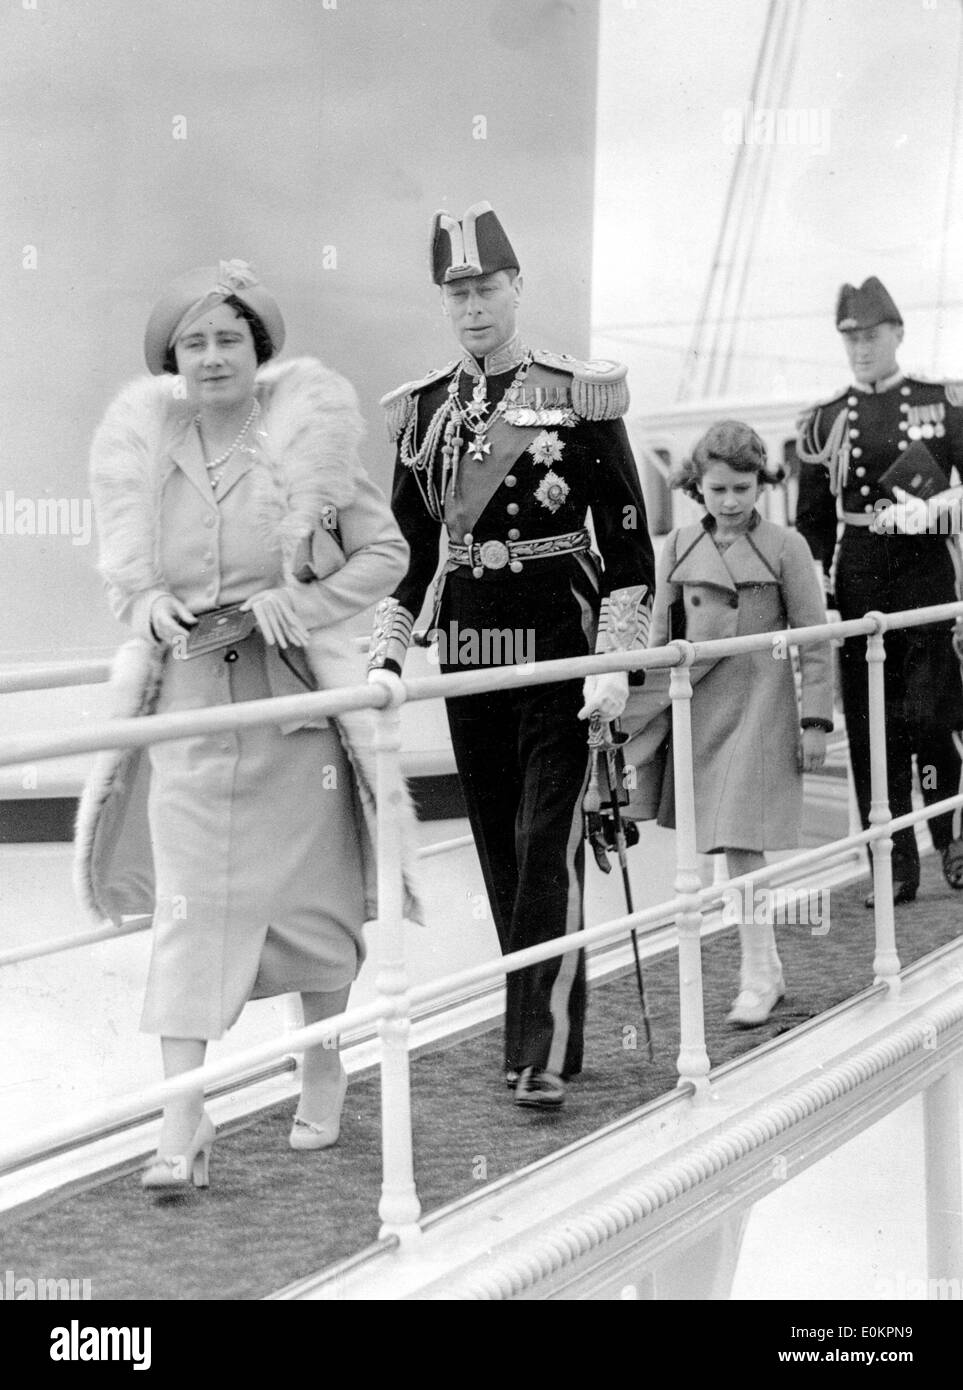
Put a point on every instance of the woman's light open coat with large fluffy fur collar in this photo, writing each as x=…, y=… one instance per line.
x=156, y=511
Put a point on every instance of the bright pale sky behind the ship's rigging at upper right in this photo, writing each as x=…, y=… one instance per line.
x=868, y=199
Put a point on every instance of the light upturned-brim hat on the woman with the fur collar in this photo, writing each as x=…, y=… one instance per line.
x=199, y=291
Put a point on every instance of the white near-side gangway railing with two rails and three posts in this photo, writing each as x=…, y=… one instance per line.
x=393, y=1011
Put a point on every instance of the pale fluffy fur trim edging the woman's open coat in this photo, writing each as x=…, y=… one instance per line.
x=311, y=439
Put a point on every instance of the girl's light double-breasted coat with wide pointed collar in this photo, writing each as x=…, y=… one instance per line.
x=746, y=714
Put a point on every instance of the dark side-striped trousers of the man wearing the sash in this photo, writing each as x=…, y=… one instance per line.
x=523, y=762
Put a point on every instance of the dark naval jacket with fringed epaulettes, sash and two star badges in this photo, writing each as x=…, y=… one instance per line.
x=537, y=484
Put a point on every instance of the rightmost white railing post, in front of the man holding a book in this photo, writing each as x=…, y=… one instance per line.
x=886, y=964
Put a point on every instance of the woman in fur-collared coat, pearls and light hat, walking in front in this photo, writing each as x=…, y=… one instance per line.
x=229, y=482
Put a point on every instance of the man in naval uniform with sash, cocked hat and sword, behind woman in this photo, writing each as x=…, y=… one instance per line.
x=507, y=451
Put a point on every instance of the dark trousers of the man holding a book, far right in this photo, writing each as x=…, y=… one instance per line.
x=922, y=680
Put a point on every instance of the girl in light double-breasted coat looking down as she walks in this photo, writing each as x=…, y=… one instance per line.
x=736, y=575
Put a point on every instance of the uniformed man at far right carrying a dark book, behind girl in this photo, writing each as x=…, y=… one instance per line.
x=847, y=515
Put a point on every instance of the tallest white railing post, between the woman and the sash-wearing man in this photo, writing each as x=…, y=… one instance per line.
x=400, y=1207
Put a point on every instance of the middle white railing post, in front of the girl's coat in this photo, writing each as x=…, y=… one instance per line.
x=693, y=1057
